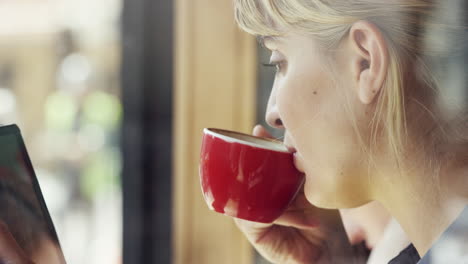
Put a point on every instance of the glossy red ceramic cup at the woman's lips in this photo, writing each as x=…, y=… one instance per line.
x=247, y=177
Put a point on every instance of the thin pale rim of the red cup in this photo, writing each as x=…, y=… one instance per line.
x=216, y=132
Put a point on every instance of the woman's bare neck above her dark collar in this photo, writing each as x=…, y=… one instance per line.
x=432, y=190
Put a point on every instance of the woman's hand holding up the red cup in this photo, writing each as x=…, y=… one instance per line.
x=301, y=233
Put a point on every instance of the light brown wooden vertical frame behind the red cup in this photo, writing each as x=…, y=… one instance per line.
x=215, y=82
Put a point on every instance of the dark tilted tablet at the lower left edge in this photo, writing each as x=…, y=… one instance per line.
x=22, y=208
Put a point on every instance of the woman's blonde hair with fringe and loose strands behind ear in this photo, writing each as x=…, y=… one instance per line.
x=402, y=23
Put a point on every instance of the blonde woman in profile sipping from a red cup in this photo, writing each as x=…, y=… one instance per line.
x=360, y=106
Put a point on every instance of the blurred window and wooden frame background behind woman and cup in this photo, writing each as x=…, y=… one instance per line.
x=112, y=96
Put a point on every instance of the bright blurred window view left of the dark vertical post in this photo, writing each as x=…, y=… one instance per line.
x=59, y=66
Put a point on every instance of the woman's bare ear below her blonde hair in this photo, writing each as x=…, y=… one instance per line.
x=369, y=59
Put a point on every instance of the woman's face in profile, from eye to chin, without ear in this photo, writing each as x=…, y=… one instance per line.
x=310, y=101
